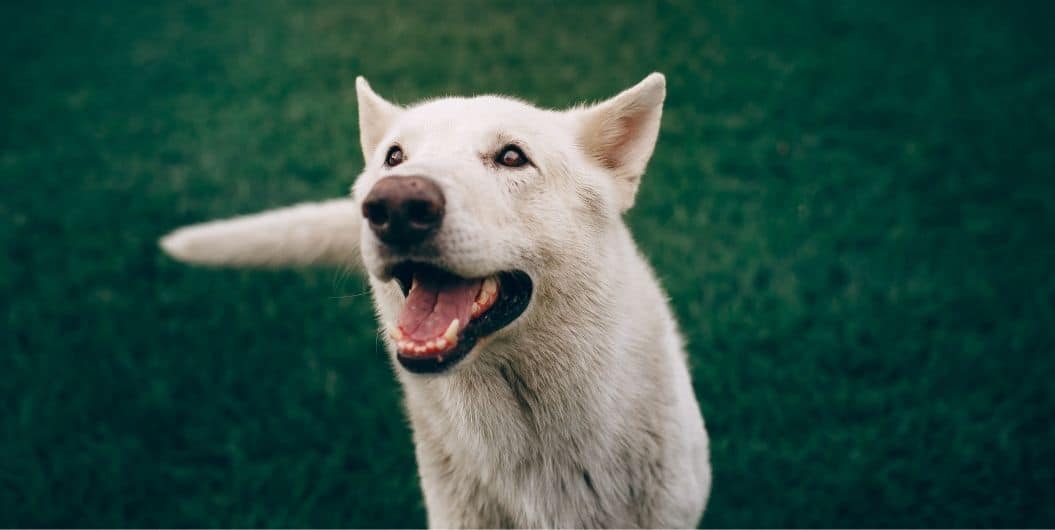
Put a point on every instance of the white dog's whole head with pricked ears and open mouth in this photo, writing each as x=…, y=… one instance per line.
x=472, y=205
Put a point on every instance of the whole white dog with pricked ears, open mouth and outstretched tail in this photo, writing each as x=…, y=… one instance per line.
x=544, y=373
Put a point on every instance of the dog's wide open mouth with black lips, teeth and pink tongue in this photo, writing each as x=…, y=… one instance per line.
x=446, y=315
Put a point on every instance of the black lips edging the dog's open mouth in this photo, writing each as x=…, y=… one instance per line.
x=514, y=295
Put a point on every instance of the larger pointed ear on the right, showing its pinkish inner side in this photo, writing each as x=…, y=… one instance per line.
x=621, y=134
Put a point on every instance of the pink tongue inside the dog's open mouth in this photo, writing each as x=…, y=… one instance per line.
x=437, y=299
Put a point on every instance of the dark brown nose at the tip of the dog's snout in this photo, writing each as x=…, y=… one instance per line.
x=405, y=211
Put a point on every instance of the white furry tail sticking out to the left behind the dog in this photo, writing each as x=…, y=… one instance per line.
x=311, y=234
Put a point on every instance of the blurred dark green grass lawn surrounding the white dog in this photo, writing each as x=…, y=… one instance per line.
x=851, y=205
